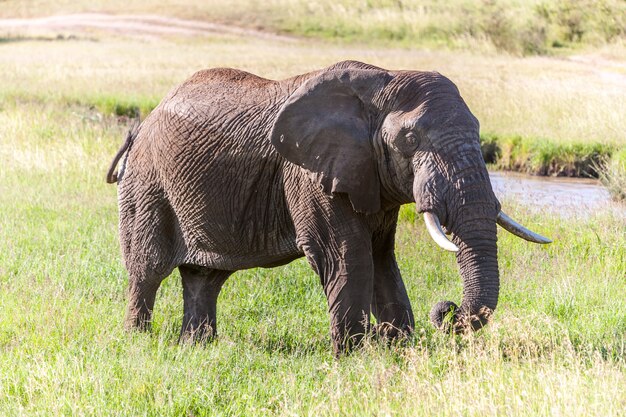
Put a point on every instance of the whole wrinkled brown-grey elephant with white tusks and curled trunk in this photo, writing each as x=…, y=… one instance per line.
x=233, y=171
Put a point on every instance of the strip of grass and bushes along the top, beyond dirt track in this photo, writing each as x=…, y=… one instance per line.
x=513, y=26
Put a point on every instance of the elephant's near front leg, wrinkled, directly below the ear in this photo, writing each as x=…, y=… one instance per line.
x=346, y=271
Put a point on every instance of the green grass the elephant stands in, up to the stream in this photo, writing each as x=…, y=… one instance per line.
x=556, y=345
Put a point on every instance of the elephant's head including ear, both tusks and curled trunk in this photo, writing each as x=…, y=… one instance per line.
x=393, y=137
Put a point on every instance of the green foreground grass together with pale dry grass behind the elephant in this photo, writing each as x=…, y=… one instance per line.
x=556, y=346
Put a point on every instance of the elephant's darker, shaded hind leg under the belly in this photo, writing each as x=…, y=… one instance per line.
x=201, y=287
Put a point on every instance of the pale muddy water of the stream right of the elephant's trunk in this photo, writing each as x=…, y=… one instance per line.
x=568, y=196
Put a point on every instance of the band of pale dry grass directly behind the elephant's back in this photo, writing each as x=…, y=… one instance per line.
x=563, y=100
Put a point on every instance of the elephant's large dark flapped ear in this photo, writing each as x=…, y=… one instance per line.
x=324, y=127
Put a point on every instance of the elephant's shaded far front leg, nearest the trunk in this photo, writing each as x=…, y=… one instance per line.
x=390, y=303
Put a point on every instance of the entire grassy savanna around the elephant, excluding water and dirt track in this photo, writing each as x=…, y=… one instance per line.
x=549, y=88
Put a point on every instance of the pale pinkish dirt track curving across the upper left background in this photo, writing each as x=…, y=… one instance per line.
x=134, y=25
